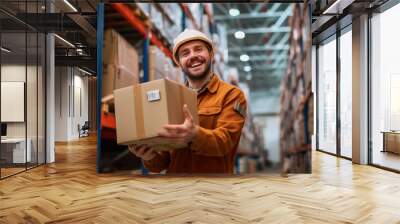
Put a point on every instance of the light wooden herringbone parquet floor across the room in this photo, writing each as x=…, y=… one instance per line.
x=70, y=191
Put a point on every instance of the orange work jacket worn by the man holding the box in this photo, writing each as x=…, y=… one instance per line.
x=222, y=110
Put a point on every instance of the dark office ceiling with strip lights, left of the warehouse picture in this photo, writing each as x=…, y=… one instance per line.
x=75, y=23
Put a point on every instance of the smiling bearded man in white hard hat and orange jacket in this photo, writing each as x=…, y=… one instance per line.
x=221, y=109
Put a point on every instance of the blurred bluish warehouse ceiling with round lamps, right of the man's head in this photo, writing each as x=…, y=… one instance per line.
x=266, y=41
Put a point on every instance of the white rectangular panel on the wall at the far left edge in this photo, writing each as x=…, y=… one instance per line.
x=12, y=101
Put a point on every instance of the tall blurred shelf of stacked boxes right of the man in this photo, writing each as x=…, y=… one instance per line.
x=296, y=100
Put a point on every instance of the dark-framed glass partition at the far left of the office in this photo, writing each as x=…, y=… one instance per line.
x=22, y=76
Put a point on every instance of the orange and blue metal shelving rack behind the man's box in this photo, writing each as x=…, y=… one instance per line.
x=132, y=23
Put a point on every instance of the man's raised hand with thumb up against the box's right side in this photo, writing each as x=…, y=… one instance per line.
x=185, y=132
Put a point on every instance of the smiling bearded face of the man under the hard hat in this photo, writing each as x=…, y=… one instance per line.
x=195, y=59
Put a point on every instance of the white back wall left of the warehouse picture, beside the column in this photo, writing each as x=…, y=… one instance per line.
x=69, y=85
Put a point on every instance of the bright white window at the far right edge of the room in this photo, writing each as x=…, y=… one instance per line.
x=385, y=88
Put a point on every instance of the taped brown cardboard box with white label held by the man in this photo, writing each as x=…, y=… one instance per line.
x=142, y=110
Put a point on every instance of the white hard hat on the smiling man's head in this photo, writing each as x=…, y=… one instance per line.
x=189, y=35
